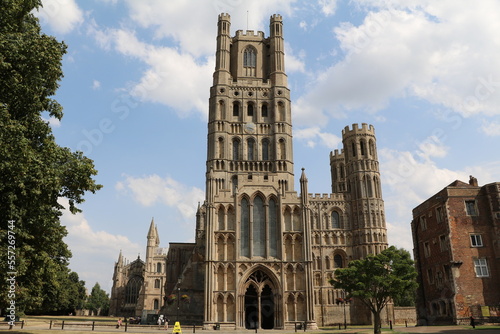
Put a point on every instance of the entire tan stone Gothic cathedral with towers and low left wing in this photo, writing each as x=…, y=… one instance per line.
x=264, y=253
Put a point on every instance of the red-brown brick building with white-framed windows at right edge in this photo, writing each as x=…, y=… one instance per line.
x=456, y=238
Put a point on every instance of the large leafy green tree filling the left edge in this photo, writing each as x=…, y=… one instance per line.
x=35, y=172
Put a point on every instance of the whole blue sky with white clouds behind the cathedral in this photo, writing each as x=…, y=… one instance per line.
x=137, y=74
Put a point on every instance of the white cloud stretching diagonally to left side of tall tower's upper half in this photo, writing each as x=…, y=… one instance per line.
x=172, y=78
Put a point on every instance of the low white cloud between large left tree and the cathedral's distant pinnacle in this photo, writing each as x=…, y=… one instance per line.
x=94, y=252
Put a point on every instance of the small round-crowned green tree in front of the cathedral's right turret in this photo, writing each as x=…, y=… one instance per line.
x=377, y=279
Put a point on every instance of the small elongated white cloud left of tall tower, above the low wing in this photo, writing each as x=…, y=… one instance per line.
x=152, y=189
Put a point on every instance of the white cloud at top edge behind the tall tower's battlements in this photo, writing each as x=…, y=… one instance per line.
x=186, y=21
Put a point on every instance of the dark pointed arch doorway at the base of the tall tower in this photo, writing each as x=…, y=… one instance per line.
x=259, y=302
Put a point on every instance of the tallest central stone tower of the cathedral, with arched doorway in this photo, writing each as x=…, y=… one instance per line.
x=250, y=183
